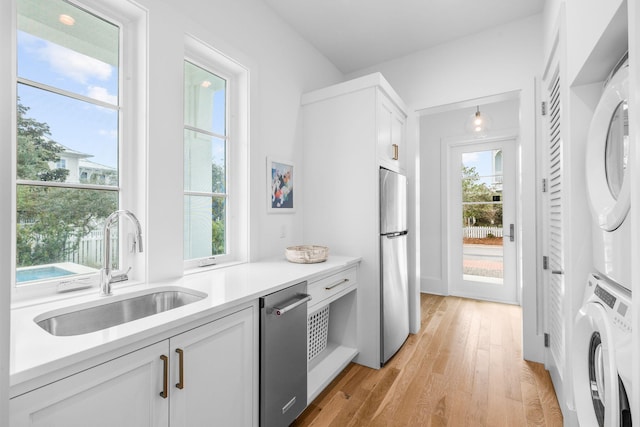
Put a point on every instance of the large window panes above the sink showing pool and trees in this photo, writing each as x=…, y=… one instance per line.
x=69, y=120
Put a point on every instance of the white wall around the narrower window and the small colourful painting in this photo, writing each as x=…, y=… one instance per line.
x=281, y=67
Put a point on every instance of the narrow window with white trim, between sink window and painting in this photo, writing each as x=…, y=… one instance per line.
x=215, y=158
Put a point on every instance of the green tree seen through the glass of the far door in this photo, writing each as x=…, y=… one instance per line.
x=477, y=198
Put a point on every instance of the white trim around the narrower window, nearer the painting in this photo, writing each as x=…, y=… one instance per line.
x=237, y=76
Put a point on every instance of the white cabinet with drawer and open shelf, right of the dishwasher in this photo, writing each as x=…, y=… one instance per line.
x=332, y=314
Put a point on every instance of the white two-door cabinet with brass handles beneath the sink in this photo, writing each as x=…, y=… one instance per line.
x=219, y=379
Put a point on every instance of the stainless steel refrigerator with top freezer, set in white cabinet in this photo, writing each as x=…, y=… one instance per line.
x=394, y=293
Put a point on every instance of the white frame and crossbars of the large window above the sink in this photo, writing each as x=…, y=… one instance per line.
x=132, y=23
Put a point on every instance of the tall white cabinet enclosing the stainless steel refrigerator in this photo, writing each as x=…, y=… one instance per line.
x=350, y=130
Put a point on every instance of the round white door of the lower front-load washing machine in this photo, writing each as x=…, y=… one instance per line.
x=595, y=376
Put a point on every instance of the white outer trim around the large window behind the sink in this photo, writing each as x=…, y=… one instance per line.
x=133, y=21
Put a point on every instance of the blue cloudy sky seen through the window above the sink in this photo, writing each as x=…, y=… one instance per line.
x=75, y=124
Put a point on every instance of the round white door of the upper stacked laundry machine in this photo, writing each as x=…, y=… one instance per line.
x=608, y=152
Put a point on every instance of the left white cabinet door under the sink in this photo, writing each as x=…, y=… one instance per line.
x=123, y=392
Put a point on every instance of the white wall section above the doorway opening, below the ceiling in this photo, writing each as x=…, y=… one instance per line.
x=499, y=60
